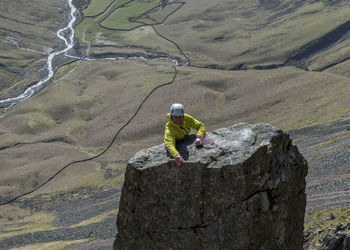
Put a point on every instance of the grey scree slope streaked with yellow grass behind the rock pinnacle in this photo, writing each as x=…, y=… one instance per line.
x=326, y=148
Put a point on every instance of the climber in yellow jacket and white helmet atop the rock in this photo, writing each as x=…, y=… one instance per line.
x=178, y=127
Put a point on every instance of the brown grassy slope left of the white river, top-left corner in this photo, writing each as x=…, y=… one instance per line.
x=29, y=26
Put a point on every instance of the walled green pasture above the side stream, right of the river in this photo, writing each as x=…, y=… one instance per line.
x=94, y=33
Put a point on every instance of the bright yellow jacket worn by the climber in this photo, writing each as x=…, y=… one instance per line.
x=175, y=132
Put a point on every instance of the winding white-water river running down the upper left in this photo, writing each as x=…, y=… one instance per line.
x=29, y=92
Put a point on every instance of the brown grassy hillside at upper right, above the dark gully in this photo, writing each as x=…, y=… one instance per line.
x=245, y=32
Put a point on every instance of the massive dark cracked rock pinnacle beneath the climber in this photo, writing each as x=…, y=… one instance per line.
x=246, y=191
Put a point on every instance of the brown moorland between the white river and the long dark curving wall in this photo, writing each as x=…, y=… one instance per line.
x=74, y=119
